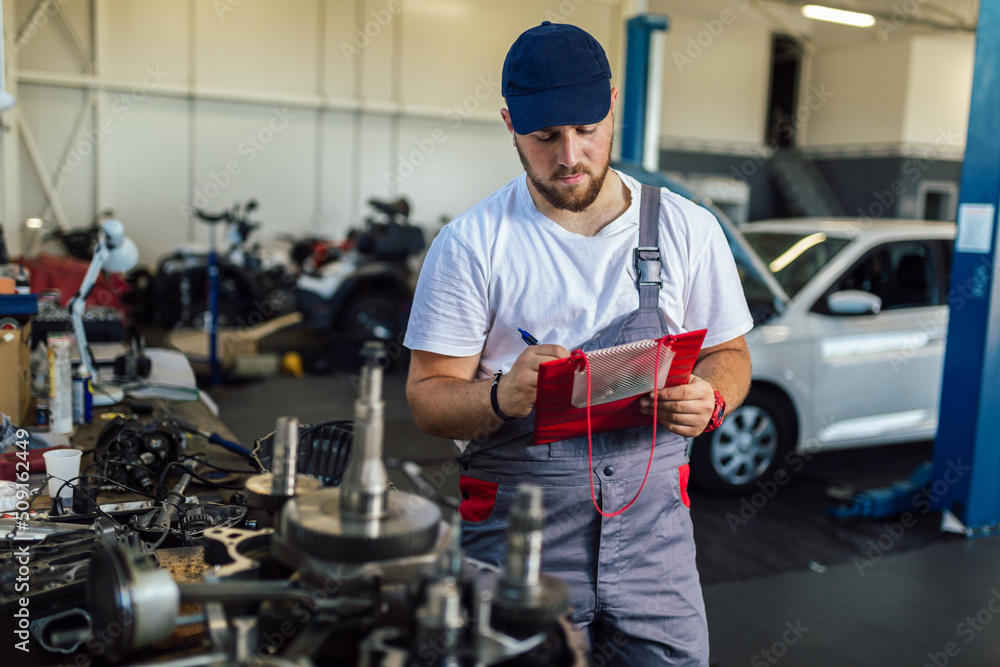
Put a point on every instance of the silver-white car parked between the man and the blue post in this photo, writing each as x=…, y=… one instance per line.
x=848, y=347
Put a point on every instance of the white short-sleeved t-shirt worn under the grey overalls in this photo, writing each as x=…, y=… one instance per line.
x=503, y=265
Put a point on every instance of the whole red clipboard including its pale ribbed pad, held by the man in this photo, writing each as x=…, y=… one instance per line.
x=619, y=379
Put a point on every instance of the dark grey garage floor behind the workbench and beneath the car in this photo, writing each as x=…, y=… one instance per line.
x=788, y=589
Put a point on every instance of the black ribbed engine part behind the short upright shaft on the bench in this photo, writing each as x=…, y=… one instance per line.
x=324, y=450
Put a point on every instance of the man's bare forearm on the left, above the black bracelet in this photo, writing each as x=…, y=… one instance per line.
x=453, y=408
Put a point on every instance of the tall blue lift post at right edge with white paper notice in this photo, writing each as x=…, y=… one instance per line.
x=969, y=424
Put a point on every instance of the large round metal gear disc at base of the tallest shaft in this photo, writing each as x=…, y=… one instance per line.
x=315, y=524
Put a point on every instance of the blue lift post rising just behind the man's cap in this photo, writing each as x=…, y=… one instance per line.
x=637, y=35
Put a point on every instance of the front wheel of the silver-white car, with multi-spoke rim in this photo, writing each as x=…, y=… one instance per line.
x=750, y=445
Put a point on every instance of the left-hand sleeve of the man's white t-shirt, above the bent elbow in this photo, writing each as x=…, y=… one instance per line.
x=451, y=312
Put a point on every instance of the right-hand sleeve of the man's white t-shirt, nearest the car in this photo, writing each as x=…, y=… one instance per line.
x=716, y=301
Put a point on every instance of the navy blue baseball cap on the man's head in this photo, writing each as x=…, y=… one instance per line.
x=555, y=74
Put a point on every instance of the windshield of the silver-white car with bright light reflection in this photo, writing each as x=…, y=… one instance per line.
x=794, y=257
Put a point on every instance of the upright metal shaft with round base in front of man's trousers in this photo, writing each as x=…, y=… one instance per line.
x=526, y=600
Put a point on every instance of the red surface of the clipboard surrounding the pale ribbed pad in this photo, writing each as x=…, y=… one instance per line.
x=556, y=418
